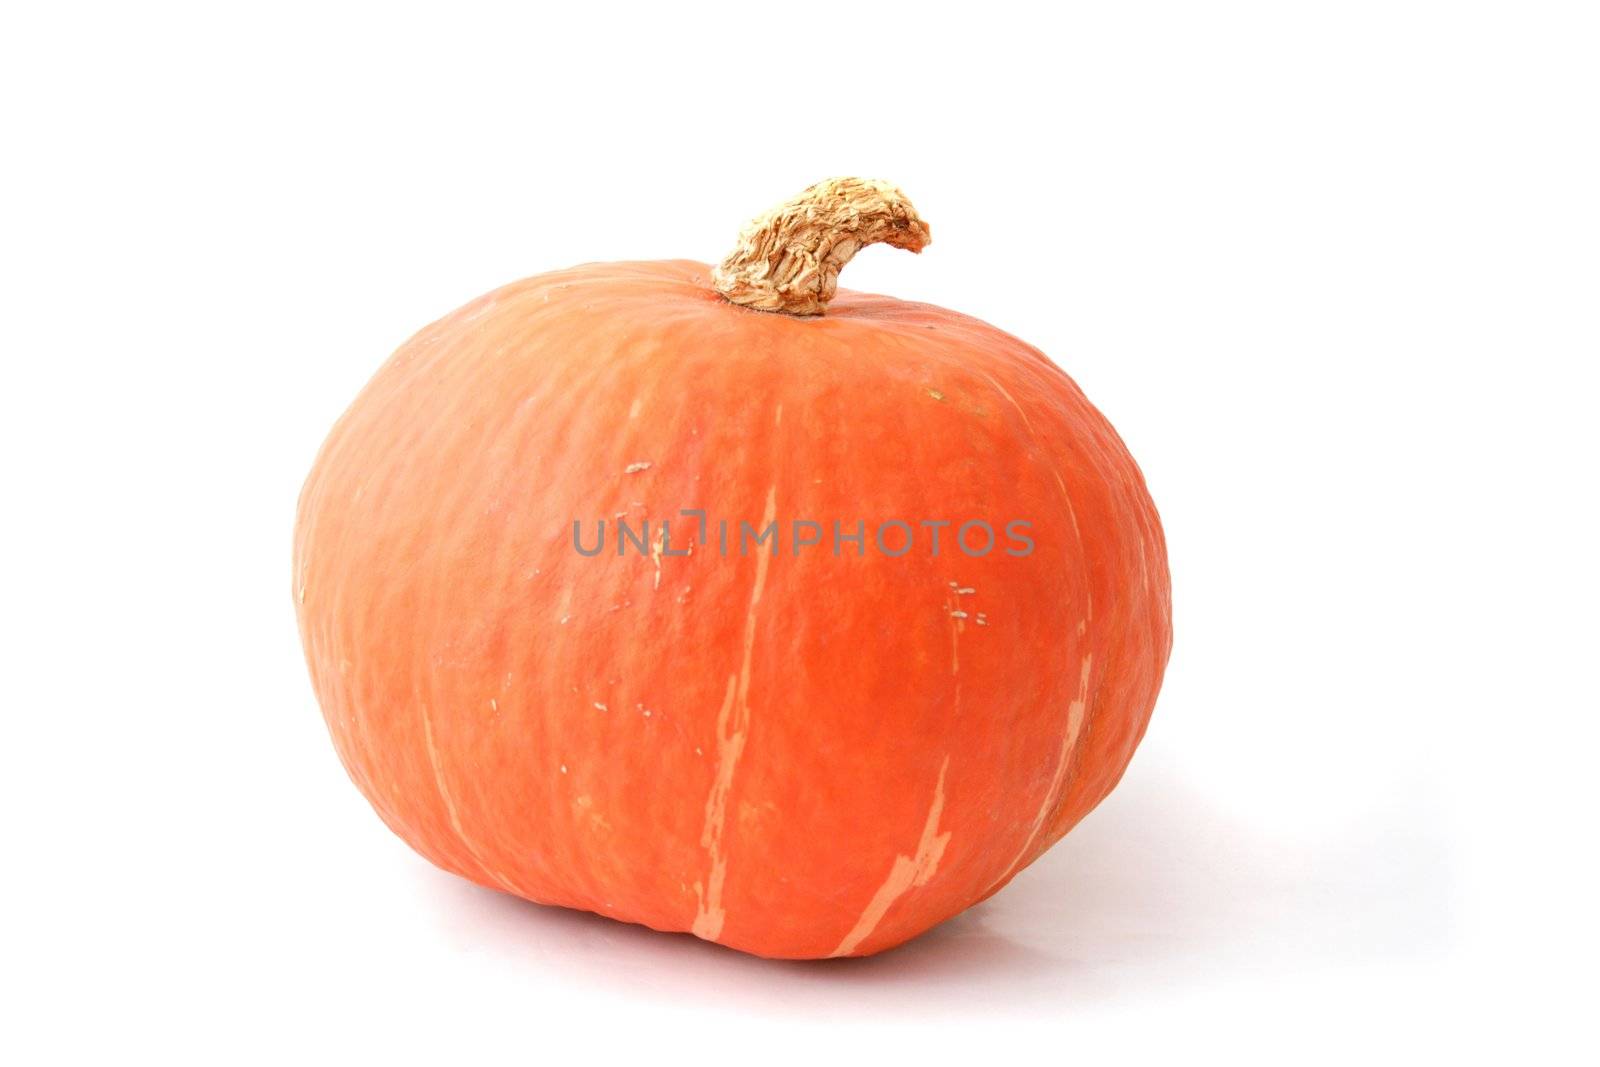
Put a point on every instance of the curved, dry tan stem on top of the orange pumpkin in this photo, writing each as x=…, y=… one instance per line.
x=790, y=258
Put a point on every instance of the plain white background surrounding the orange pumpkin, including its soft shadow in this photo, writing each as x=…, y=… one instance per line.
x=1332, y=271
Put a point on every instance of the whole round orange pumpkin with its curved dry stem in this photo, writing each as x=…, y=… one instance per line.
x=727, y=602
